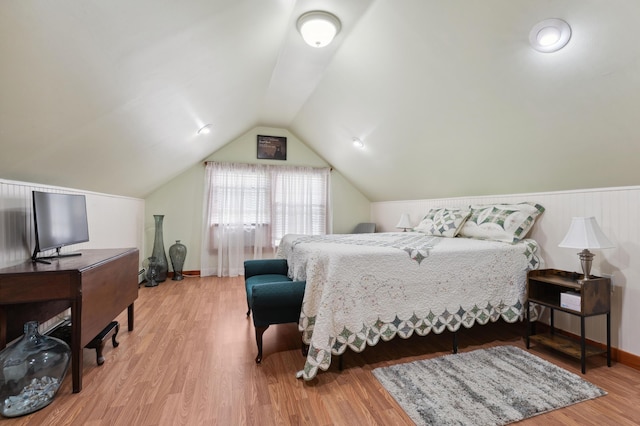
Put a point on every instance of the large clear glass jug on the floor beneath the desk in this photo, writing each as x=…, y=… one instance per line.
x=31, y=371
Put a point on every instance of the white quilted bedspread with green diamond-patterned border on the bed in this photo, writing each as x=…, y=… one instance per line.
x=365, y=287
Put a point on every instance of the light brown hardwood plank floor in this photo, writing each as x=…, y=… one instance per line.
x=190, y=361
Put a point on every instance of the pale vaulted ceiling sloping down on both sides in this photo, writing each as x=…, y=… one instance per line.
x=448, y=97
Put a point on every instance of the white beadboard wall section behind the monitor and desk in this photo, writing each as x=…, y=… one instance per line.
x=114, y=221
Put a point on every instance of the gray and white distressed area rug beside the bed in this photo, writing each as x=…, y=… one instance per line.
x=493, y=386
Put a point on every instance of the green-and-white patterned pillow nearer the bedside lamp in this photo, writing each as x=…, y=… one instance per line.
x=501, y=222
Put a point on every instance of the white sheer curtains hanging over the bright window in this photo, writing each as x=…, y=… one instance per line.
x=248, y=208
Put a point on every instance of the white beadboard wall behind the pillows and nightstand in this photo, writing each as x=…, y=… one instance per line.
x=617, y=210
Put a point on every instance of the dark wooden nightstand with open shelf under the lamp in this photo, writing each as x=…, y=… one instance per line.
x=592, y=297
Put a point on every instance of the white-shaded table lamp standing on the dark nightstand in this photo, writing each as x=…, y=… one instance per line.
x=584, y=233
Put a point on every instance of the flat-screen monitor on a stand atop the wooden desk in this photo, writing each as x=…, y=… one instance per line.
x=60, y=220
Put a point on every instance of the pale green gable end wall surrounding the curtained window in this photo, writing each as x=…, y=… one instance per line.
x=180, y=199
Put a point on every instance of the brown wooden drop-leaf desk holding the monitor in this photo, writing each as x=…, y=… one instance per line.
x=97, y=286
